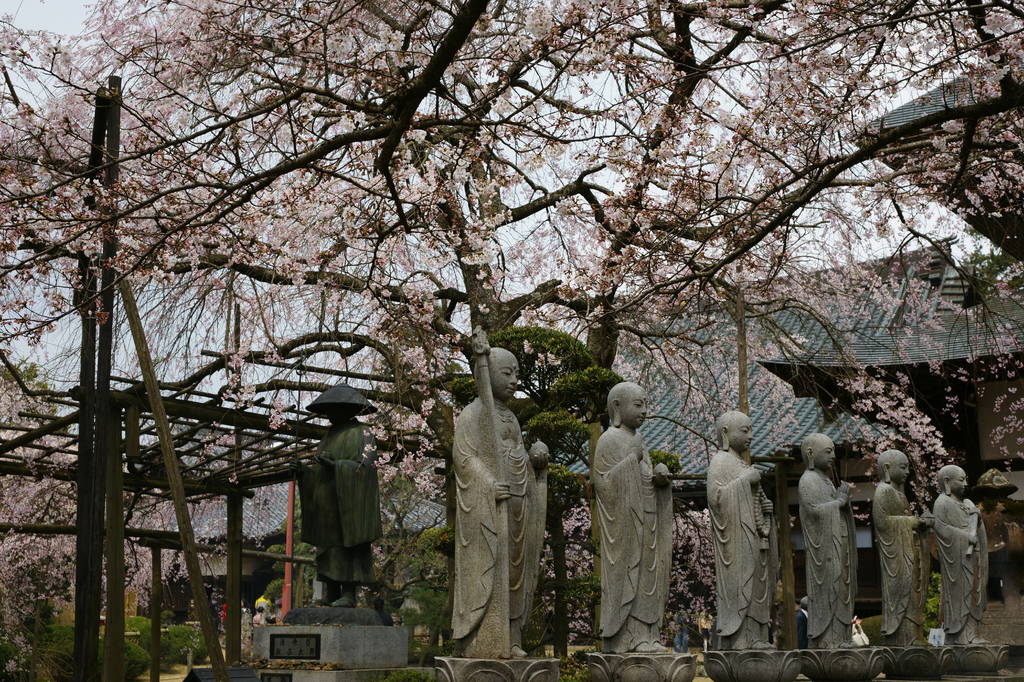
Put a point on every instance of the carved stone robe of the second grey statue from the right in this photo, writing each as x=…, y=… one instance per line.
x=906, y=566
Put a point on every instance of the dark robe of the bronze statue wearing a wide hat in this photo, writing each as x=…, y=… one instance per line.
x=342, y=505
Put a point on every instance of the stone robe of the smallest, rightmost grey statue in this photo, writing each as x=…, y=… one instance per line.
x=965, y=578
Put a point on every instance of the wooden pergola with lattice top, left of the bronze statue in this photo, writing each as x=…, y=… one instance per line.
x=222, y=452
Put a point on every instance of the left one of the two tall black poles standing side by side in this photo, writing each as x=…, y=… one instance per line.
x=91, y=473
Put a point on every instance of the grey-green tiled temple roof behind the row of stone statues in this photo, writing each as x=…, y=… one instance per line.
x=876, y=335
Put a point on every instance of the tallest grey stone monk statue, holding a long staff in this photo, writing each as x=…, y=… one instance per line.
x=502, y=497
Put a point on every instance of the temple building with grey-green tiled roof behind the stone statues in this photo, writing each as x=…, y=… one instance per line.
x=964, y=370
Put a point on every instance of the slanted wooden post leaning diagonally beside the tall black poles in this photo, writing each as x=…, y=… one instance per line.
x=189, y=549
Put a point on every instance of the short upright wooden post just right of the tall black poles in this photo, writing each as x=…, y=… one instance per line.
x=114, y=656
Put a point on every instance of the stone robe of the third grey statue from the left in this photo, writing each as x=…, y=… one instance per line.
x=746, y=561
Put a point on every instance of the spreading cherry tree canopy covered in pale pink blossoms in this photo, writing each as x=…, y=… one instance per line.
x=366, y=182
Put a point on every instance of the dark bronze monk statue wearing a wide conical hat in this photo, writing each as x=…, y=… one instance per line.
x=340, y=497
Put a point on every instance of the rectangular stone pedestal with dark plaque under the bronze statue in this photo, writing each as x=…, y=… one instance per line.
x=343, y=647
